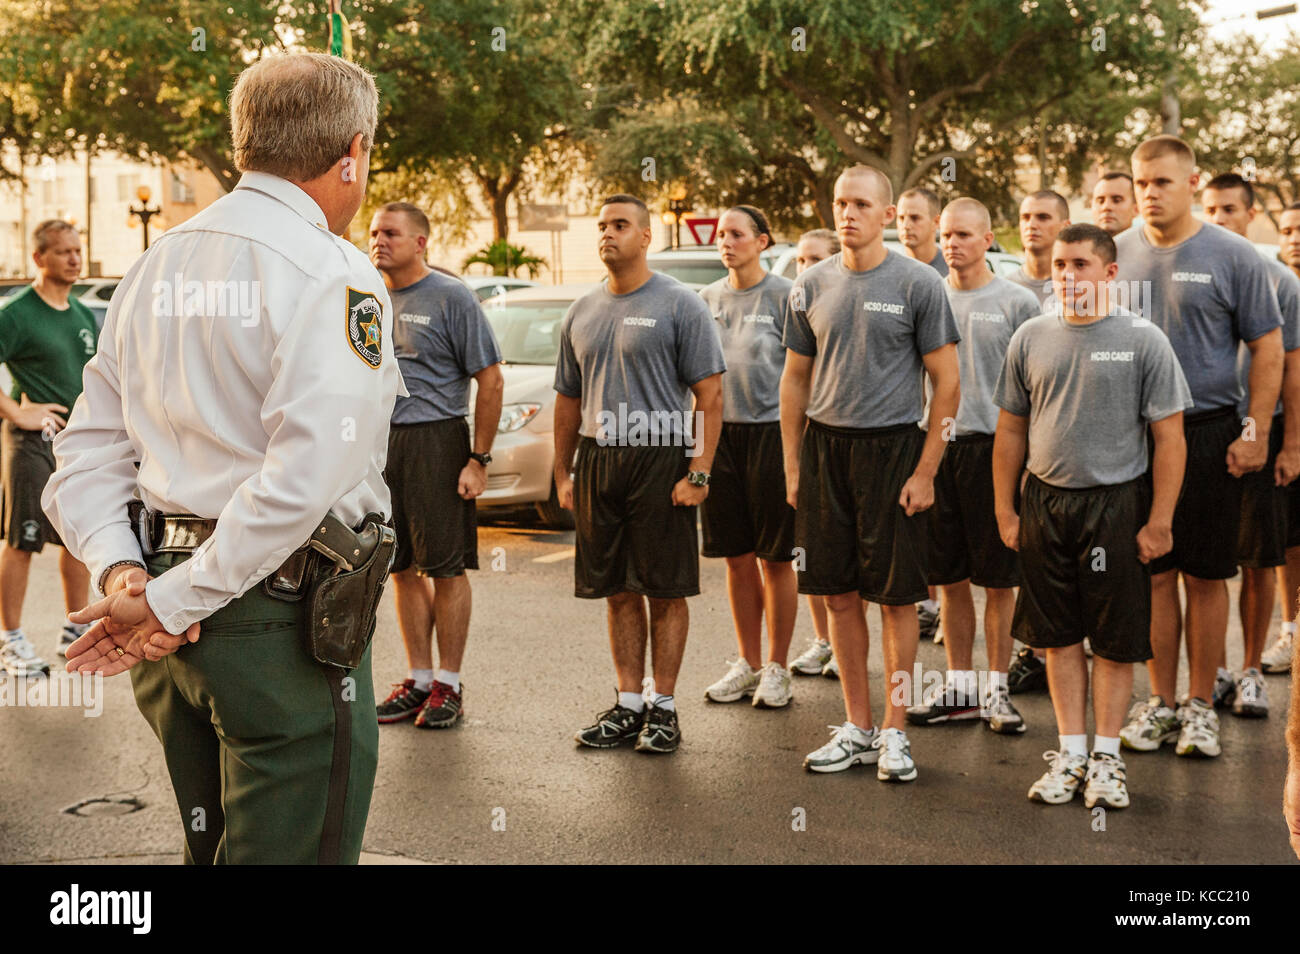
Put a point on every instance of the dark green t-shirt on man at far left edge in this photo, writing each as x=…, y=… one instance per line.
x=46, y=349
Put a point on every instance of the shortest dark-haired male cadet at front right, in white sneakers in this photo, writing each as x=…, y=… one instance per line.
x=1080, y=392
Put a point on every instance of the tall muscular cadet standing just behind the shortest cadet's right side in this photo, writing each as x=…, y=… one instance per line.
x=1210, y=292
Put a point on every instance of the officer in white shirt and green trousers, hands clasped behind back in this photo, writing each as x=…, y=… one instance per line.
x=241, y=396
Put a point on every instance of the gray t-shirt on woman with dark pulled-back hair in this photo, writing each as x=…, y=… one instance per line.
x=752, y=324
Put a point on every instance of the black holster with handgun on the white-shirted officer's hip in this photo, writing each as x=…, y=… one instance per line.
x=348, y=570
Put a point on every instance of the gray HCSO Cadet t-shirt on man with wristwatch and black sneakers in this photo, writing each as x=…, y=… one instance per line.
x=634, y=358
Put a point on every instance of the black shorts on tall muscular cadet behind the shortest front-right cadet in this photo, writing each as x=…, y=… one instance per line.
x=1210, y=509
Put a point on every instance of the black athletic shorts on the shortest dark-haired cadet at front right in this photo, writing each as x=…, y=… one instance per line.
x=1080, y=570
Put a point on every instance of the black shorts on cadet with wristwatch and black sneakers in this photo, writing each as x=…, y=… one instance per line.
x=630, y=535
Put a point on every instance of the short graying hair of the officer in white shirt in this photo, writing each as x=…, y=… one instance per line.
x=296, y=116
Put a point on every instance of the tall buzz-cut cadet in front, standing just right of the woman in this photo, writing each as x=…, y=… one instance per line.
x=865, y=328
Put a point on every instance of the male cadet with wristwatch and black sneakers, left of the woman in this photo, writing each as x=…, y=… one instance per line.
x=634, y=467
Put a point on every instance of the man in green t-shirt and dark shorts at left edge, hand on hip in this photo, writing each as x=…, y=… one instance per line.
x=46, y=340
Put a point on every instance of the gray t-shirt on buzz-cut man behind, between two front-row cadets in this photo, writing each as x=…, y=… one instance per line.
x=986, y=319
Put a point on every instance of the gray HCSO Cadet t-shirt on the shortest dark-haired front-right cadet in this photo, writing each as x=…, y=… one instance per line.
x=1090, y=392
